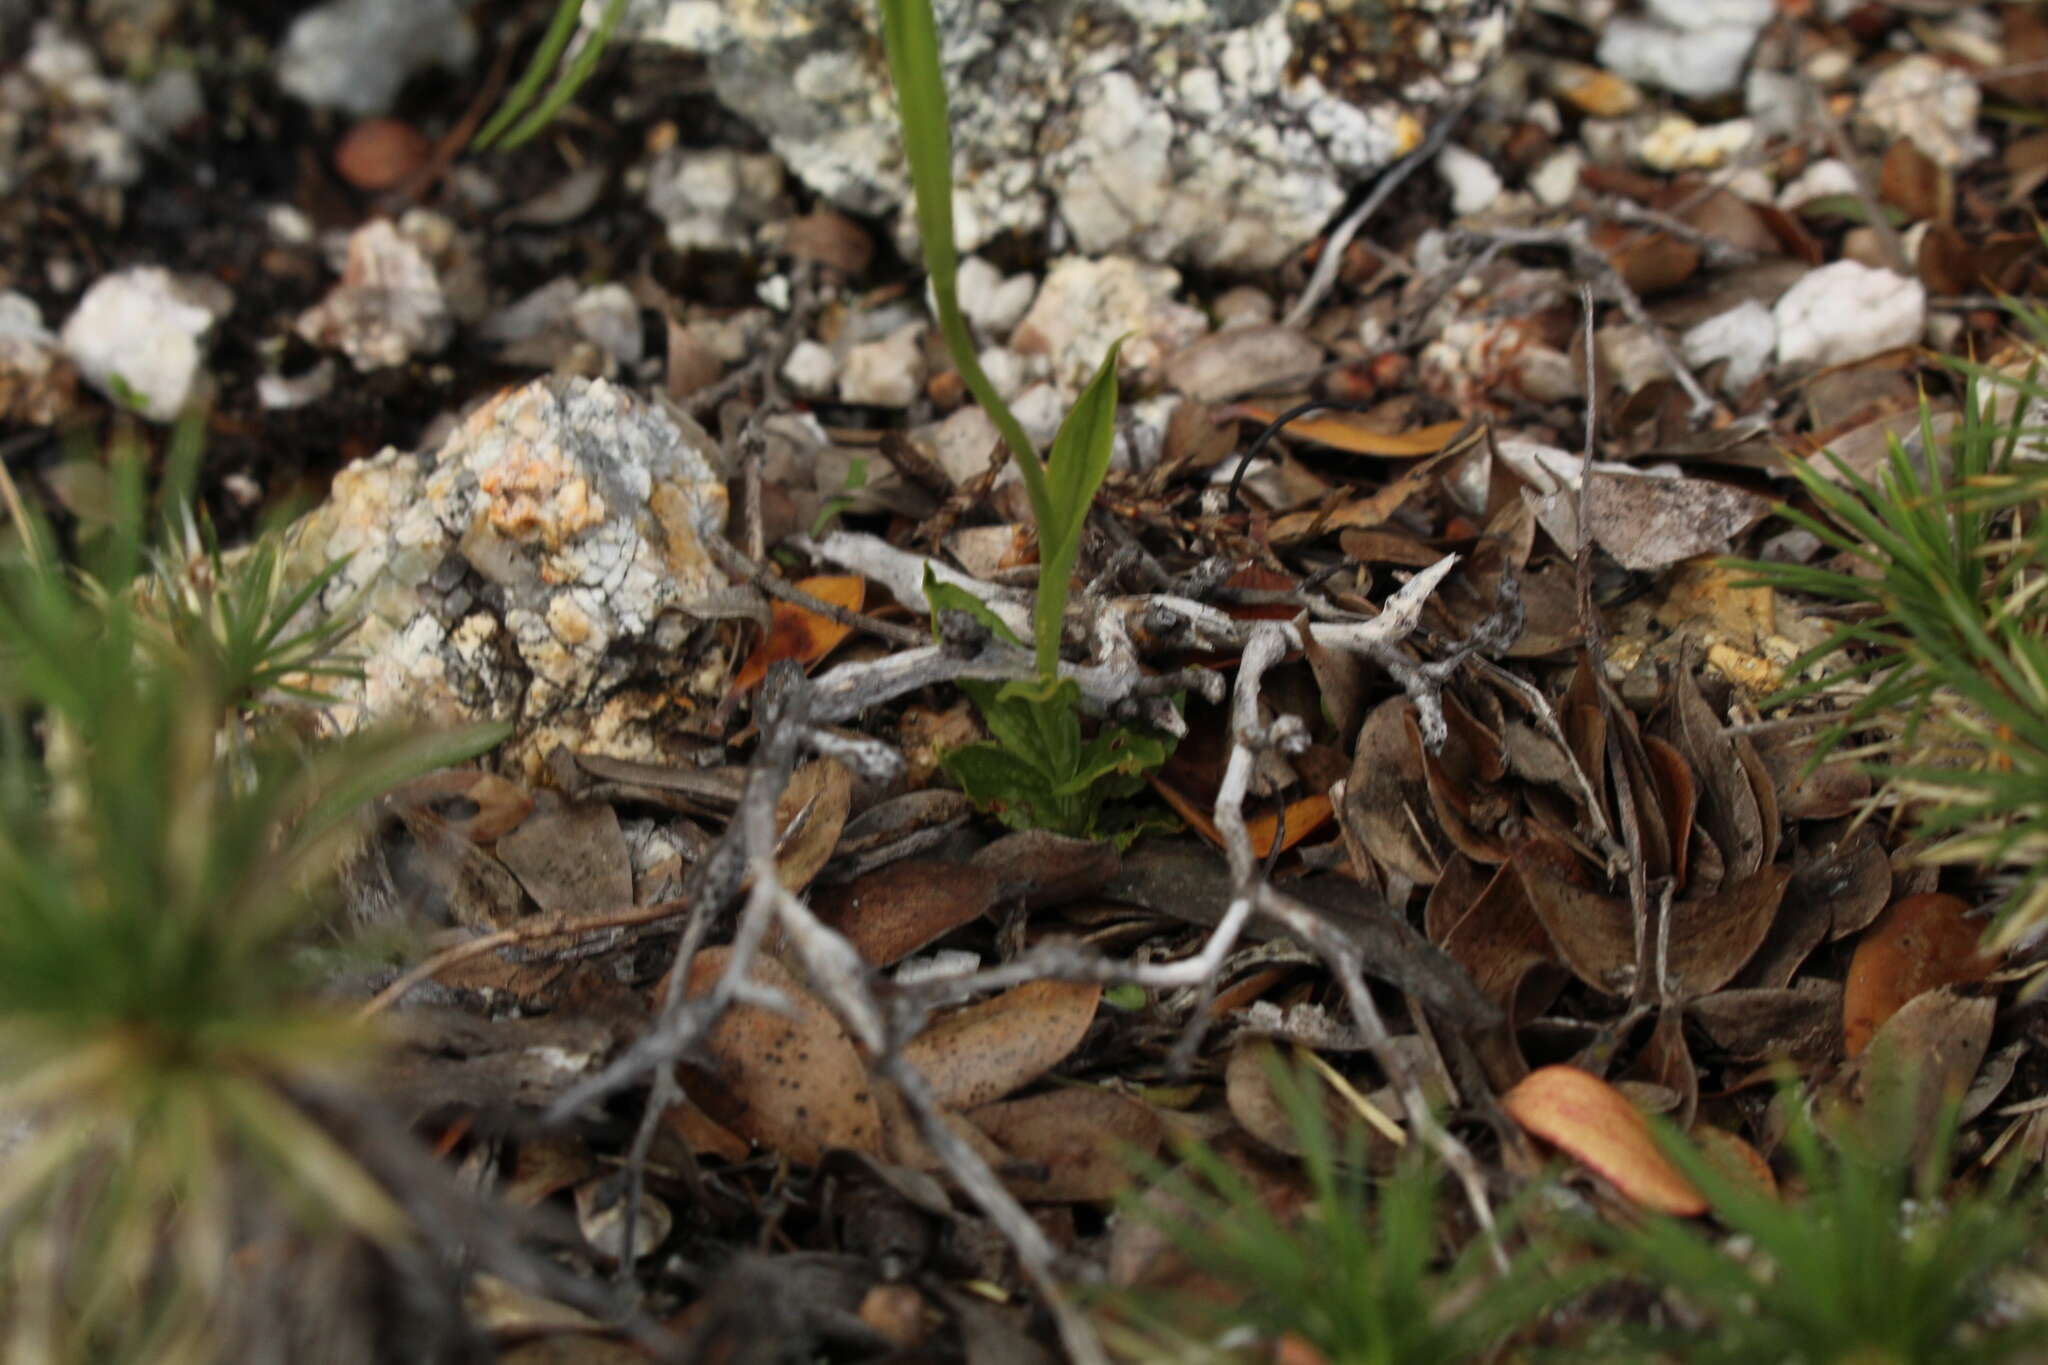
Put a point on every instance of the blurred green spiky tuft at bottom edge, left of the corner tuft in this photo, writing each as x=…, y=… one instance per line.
x=1361, y=1276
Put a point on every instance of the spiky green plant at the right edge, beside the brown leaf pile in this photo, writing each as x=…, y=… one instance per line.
x=1945, y=644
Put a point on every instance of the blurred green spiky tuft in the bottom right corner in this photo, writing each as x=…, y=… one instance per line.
x=1875, y=1262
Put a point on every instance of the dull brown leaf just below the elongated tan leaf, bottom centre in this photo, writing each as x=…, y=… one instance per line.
x=1080, y=1137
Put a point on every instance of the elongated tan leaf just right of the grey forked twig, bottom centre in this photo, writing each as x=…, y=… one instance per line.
x=992, y=1049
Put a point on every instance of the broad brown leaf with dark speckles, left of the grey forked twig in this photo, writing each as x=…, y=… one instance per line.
x=792, y=1084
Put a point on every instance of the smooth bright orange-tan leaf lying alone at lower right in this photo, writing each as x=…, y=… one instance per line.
x=1596, y=1127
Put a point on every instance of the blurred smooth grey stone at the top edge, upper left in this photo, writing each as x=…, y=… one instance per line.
x=357, y=54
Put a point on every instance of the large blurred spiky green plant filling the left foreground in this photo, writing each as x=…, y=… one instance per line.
x=155, y=881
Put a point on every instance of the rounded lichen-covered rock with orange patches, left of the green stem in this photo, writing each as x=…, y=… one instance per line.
x=527, y=570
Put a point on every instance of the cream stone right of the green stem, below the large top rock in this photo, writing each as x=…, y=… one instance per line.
x=1084, y=306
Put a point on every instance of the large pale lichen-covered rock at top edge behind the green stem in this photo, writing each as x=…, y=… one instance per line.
x=1211, y=132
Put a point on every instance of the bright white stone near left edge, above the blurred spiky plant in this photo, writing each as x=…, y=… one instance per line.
x=138, y=337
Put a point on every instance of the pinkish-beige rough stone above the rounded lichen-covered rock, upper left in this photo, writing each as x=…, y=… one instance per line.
x=388, y=308
